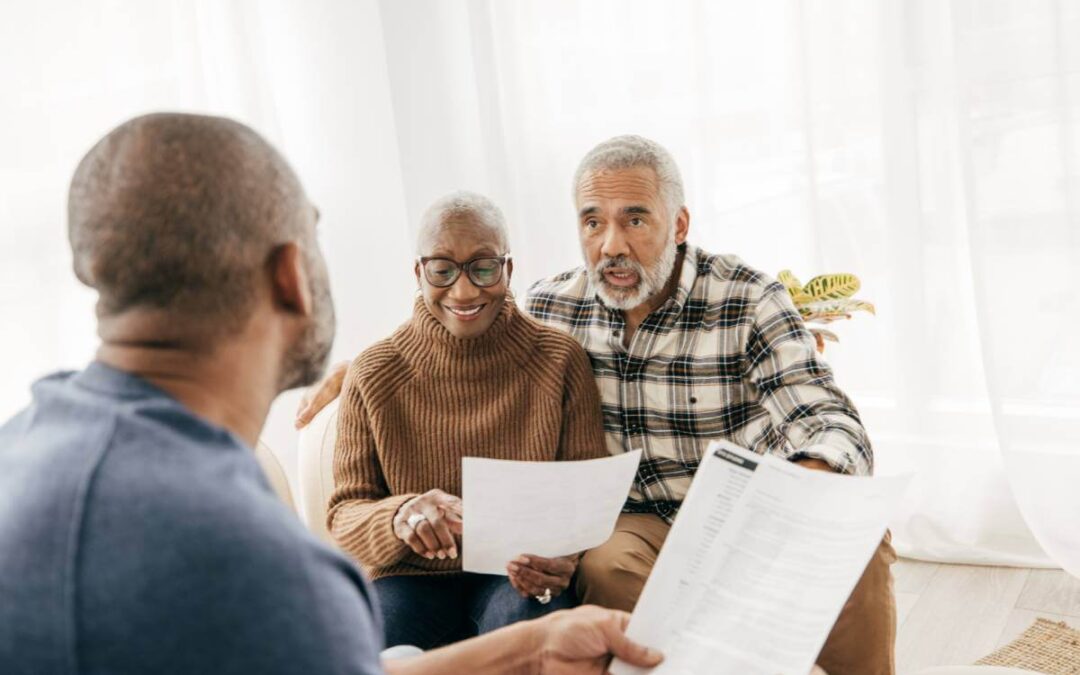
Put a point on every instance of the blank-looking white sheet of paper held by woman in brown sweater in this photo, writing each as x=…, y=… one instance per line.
x=548, y=509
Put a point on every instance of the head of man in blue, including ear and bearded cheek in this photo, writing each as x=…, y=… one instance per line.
x=187, y=226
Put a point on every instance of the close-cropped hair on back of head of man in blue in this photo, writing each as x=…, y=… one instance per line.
x=180, y=213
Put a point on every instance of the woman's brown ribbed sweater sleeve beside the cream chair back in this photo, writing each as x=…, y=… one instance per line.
x=361, y=509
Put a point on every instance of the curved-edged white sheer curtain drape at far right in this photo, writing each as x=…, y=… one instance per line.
x=1019, y=118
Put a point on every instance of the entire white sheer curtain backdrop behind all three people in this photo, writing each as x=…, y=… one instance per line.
x=930, y=147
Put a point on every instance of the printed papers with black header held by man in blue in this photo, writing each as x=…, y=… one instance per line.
x=759, y=564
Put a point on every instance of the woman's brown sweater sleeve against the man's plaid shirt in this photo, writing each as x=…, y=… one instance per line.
x=583, y=436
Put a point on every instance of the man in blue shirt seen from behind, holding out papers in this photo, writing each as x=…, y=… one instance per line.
x=138, y=534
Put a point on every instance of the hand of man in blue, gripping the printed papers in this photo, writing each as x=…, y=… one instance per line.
x=583, y=641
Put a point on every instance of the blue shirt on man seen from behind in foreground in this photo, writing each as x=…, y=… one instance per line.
x=138, y=538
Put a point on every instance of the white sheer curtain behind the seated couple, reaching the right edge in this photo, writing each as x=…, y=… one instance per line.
x=929, y=147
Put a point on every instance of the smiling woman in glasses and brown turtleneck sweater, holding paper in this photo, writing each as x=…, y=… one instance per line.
x=468, y=375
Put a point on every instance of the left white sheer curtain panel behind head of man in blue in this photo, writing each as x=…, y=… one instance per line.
x=310, y=77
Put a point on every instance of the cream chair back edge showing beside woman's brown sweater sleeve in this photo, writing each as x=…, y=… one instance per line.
x=317, y=469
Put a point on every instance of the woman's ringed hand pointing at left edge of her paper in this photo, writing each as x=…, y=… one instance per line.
x=429, y=524
